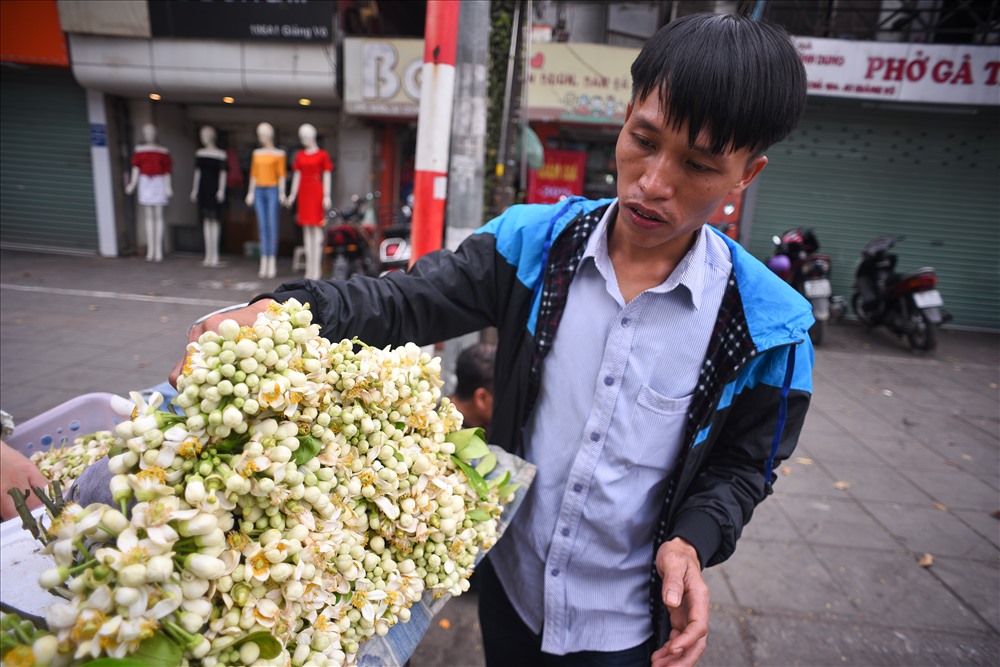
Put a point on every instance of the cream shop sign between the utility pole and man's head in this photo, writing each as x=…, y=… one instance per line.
x=580, y=83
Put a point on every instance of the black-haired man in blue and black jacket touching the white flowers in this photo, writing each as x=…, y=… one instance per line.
x=652, y=369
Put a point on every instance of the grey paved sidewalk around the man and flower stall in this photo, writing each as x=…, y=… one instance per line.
x=899, y=461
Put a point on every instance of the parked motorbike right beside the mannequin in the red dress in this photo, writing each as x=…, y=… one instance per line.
x=347, y=247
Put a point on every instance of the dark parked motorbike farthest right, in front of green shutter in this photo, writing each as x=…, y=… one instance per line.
x=908, y=304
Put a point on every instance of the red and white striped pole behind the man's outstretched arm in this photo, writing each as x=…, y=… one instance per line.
x=437, y=90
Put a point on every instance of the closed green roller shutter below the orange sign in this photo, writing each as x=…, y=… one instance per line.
x=46, y=182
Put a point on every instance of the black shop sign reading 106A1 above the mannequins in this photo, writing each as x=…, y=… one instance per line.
x=247, y=20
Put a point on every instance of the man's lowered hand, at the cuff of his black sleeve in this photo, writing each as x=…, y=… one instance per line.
x=686, y=597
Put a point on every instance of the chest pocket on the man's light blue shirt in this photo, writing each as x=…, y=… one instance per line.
x=655, y=428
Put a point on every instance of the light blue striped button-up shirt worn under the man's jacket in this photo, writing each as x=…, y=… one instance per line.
x=605, y=434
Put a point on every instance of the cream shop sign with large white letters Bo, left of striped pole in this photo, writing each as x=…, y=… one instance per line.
x=382, y=76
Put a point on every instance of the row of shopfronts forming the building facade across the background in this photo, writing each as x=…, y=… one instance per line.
x=901, y=133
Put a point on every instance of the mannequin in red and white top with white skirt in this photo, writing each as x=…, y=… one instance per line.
x=151, y=165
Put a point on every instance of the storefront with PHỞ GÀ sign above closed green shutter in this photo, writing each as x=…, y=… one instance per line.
x=897, y=139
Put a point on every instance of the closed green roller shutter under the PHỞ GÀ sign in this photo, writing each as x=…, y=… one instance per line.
x=853, y=173
